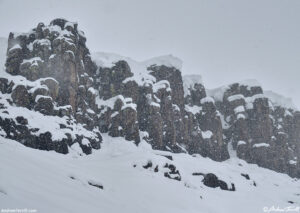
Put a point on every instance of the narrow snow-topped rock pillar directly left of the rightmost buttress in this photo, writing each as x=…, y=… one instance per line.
x=207, y=118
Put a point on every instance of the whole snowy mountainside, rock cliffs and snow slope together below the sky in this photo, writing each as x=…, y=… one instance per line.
x=138, y=136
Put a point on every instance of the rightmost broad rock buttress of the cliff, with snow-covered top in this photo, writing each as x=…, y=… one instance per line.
x=261, y=131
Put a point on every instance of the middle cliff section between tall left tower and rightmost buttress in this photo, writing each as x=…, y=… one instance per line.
x=157, y=109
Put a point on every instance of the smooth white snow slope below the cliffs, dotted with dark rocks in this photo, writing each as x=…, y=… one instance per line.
x=52, y=182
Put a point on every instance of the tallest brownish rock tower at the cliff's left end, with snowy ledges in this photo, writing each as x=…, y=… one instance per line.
x=51, y=73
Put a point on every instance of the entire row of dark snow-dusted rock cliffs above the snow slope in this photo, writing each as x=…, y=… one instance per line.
x=55, y=96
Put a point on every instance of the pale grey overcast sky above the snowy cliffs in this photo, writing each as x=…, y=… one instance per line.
x=224, y=41
